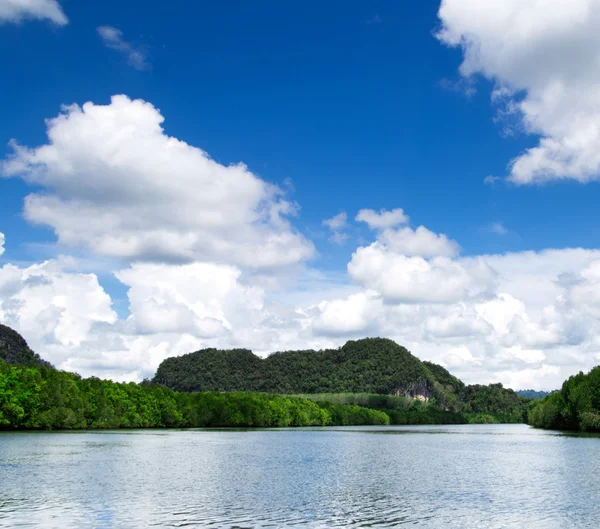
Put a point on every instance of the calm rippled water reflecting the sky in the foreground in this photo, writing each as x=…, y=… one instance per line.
x=460, y=476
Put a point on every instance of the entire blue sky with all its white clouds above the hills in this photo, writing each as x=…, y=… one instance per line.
x=285, y=175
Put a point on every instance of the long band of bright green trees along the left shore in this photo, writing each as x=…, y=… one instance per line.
x=45, y=398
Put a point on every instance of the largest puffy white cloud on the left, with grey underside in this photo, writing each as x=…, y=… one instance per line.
x=114, y=183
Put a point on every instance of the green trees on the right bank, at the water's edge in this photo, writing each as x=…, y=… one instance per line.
x=575, y=407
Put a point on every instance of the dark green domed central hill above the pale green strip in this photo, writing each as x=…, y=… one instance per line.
x=372, y=365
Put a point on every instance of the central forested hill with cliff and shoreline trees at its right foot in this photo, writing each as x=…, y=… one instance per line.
x=374, y=373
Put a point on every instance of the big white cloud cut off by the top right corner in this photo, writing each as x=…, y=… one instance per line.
x=543, y=57
